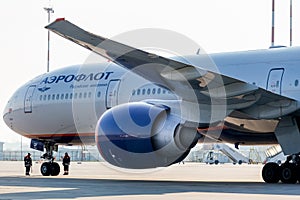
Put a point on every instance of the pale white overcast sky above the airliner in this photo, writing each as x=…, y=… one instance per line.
x=216, y=25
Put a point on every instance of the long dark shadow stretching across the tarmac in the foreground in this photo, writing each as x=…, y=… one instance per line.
x=72, y=188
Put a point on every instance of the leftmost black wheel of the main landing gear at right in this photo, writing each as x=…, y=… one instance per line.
x=270, y=173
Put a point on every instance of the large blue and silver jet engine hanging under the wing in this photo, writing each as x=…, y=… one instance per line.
x=140, y=135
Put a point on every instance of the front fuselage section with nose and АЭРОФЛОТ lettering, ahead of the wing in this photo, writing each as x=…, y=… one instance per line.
x=66, y=104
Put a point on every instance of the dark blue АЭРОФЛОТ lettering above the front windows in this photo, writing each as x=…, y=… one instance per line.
x=78, y=77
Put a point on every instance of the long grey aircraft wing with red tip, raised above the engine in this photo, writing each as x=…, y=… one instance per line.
x=182, y=78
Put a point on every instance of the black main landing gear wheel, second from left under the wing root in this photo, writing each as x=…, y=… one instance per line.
x=288, y=173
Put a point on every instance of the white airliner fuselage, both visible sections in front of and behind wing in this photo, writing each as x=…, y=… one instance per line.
x=65, y=105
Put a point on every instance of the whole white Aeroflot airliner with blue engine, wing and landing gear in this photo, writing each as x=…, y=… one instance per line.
x=143, y=110
